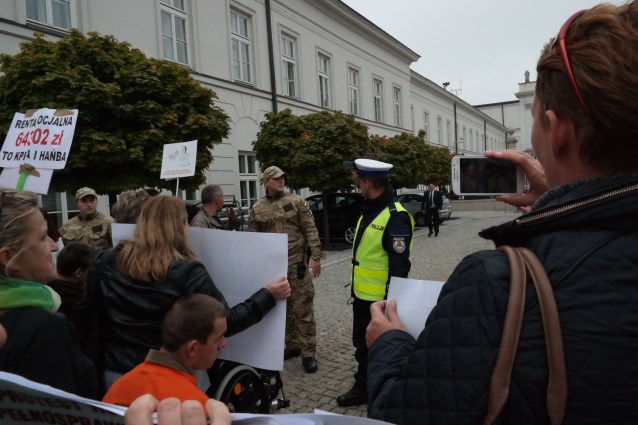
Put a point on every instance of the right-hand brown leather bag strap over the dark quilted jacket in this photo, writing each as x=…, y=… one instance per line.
x=557, y=385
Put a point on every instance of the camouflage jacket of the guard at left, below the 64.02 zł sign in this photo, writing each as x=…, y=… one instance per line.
x=93, y=232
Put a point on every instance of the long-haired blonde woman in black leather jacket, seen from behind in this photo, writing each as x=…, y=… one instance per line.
x=138, y=281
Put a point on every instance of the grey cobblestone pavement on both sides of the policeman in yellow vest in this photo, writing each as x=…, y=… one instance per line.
x=432, y=258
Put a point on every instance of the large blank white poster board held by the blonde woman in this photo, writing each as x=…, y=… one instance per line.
x=240, y=263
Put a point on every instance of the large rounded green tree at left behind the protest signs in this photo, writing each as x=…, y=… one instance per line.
x=129, y=107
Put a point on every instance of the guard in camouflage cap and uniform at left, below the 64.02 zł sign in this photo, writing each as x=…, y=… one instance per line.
x=90, y=226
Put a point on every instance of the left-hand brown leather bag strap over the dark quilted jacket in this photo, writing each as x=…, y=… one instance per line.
x=500, y=381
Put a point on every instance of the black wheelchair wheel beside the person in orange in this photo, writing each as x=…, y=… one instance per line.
x=243, y=391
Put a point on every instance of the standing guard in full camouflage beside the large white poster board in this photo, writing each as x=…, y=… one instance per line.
x=283, y=212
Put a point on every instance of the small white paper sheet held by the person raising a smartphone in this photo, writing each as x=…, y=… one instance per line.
x=415, y=300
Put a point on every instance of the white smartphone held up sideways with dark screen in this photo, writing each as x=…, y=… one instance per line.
x=481, y=176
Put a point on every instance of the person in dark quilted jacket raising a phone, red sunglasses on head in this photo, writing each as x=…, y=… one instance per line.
x=583, y=229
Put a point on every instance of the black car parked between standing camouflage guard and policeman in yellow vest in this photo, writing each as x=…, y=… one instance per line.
x=344, y=210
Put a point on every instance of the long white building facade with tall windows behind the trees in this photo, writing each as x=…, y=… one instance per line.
x=260, y=56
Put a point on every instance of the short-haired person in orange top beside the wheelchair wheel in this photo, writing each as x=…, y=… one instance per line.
x=192, y=336
